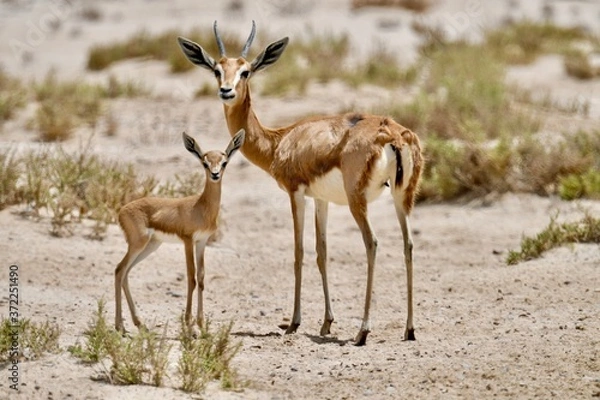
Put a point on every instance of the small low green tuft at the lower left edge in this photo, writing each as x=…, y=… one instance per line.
x=26, y=339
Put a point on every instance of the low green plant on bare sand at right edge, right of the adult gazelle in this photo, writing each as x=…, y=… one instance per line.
x=587, y=230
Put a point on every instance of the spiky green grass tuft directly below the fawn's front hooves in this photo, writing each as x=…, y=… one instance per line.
x=206, y=357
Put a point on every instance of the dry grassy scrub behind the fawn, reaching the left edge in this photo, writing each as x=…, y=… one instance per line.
x=80, y=185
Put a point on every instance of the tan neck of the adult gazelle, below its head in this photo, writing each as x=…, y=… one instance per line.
x=261, y=142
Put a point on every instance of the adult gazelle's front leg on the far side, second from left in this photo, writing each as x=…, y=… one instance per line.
x=321, y=208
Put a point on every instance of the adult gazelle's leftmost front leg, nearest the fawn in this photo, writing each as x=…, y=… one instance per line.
x=298, y=205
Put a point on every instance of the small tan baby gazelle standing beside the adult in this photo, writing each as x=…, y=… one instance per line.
x=148, y=221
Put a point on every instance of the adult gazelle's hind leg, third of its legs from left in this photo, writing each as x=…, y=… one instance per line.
x=358, y=208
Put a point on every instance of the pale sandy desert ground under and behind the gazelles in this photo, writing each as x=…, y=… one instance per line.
x=483, y=329
